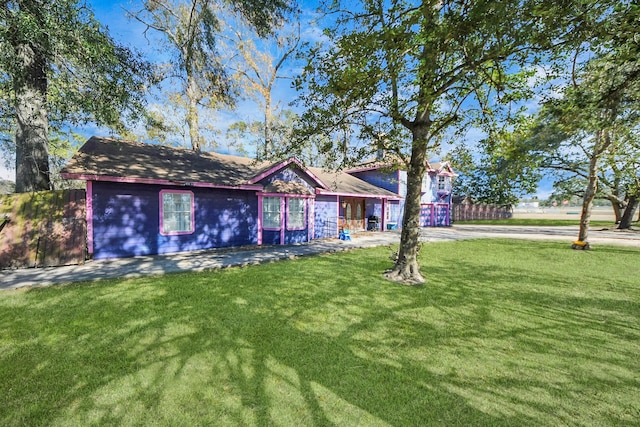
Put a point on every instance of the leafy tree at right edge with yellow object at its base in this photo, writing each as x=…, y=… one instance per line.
x=589, y=133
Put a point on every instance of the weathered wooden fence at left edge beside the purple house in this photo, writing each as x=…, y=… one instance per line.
x=43, y=229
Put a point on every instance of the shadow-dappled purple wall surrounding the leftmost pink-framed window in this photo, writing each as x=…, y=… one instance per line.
x=126, y=220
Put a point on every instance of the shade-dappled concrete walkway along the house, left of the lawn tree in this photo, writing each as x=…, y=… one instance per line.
x=183, y=262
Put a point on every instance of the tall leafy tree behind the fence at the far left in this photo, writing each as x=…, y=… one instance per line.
x=59, y=66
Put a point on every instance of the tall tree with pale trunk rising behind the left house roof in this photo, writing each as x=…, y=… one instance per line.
x=195, y=76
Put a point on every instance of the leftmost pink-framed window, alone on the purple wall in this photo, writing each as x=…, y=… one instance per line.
x=176, y=212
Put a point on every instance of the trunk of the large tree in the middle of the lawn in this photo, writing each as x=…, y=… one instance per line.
x=407, y=270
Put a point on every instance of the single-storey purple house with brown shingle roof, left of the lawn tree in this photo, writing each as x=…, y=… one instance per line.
x=146, y=199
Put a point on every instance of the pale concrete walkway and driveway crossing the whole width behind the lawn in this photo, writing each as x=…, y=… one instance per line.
x=208, y=260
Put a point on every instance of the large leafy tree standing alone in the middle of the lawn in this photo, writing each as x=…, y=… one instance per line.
x=404, y=75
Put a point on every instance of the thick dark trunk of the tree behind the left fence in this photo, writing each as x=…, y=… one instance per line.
x=32, y=130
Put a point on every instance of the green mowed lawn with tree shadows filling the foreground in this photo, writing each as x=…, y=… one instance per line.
x=504, y=333
